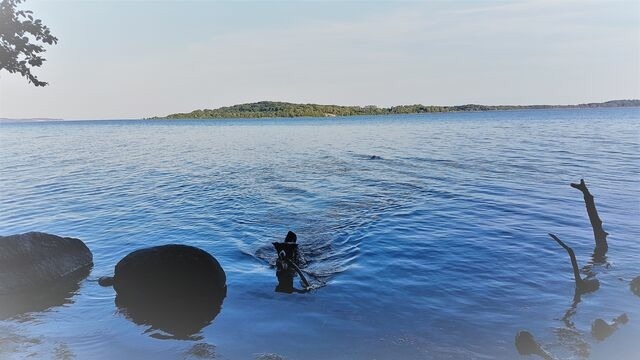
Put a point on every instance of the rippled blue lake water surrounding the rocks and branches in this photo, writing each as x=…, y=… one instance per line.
x=438, y=249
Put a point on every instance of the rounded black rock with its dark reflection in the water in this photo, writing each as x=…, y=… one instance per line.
x=177, y=289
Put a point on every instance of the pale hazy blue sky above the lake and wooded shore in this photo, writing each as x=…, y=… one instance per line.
x=134, y=59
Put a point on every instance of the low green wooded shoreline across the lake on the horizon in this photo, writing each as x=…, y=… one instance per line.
x=264, y=109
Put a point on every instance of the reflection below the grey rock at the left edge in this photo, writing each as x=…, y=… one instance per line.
x=42, y=297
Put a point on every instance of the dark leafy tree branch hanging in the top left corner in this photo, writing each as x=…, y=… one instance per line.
x=20, y=34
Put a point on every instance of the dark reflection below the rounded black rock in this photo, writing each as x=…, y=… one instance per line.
x=177, y=318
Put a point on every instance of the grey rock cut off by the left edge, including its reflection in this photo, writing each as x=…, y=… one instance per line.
x=38, y=271
